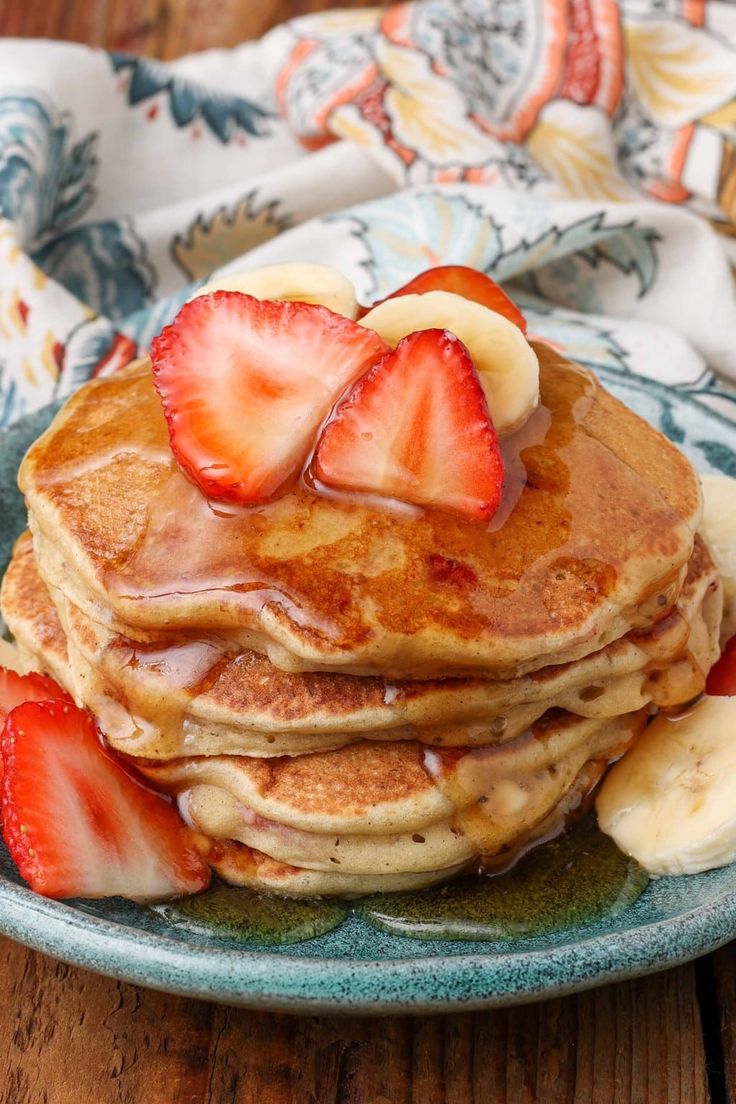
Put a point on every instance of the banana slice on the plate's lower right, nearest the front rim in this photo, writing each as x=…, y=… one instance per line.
x=669, y=803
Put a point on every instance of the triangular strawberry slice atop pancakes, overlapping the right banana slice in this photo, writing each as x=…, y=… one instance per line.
x=417, y=428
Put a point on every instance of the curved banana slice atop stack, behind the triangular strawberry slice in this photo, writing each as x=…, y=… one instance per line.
x=504, y=358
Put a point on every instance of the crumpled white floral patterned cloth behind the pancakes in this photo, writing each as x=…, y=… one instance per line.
x=581, y=152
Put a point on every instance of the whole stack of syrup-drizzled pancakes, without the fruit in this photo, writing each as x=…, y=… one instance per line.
x=349, y=696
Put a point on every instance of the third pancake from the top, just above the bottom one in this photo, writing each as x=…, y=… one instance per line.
x=481, y=803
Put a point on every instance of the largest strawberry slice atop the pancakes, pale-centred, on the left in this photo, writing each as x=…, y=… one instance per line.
x=247, y=384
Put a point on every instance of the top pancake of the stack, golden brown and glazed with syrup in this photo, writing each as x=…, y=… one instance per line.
x=591, y=540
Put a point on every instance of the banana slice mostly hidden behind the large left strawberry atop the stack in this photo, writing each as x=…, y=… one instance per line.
x=301, y=283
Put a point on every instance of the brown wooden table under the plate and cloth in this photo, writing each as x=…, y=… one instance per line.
x=69, y=1037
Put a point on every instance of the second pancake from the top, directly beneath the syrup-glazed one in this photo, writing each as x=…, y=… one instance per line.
x=191, y=697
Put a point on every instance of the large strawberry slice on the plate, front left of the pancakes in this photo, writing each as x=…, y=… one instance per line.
x=80, y=824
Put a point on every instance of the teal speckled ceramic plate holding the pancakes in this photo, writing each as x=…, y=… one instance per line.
x=356, y=968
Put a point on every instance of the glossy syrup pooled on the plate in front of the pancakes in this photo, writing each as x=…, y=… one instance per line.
x=577, y=879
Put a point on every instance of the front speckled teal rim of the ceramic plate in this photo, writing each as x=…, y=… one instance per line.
x=438, y=984
